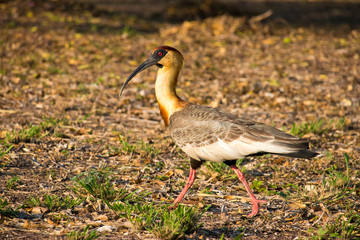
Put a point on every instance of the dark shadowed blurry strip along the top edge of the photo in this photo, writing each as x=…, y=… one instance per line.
x=293, y=12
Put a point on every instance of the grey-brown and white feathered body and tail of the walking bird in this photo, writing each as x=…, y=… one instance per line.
x=206, y=133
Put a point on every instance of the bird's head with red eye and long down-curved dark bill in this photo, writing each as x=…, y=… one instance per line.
x=164, y=57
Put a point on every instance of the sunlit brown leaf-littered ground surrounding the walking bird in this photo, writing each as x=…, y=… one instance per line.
x=61, y=69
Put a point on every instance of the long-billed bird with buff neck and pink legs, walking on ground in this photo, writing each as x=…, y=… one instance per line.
x=209, y=134
